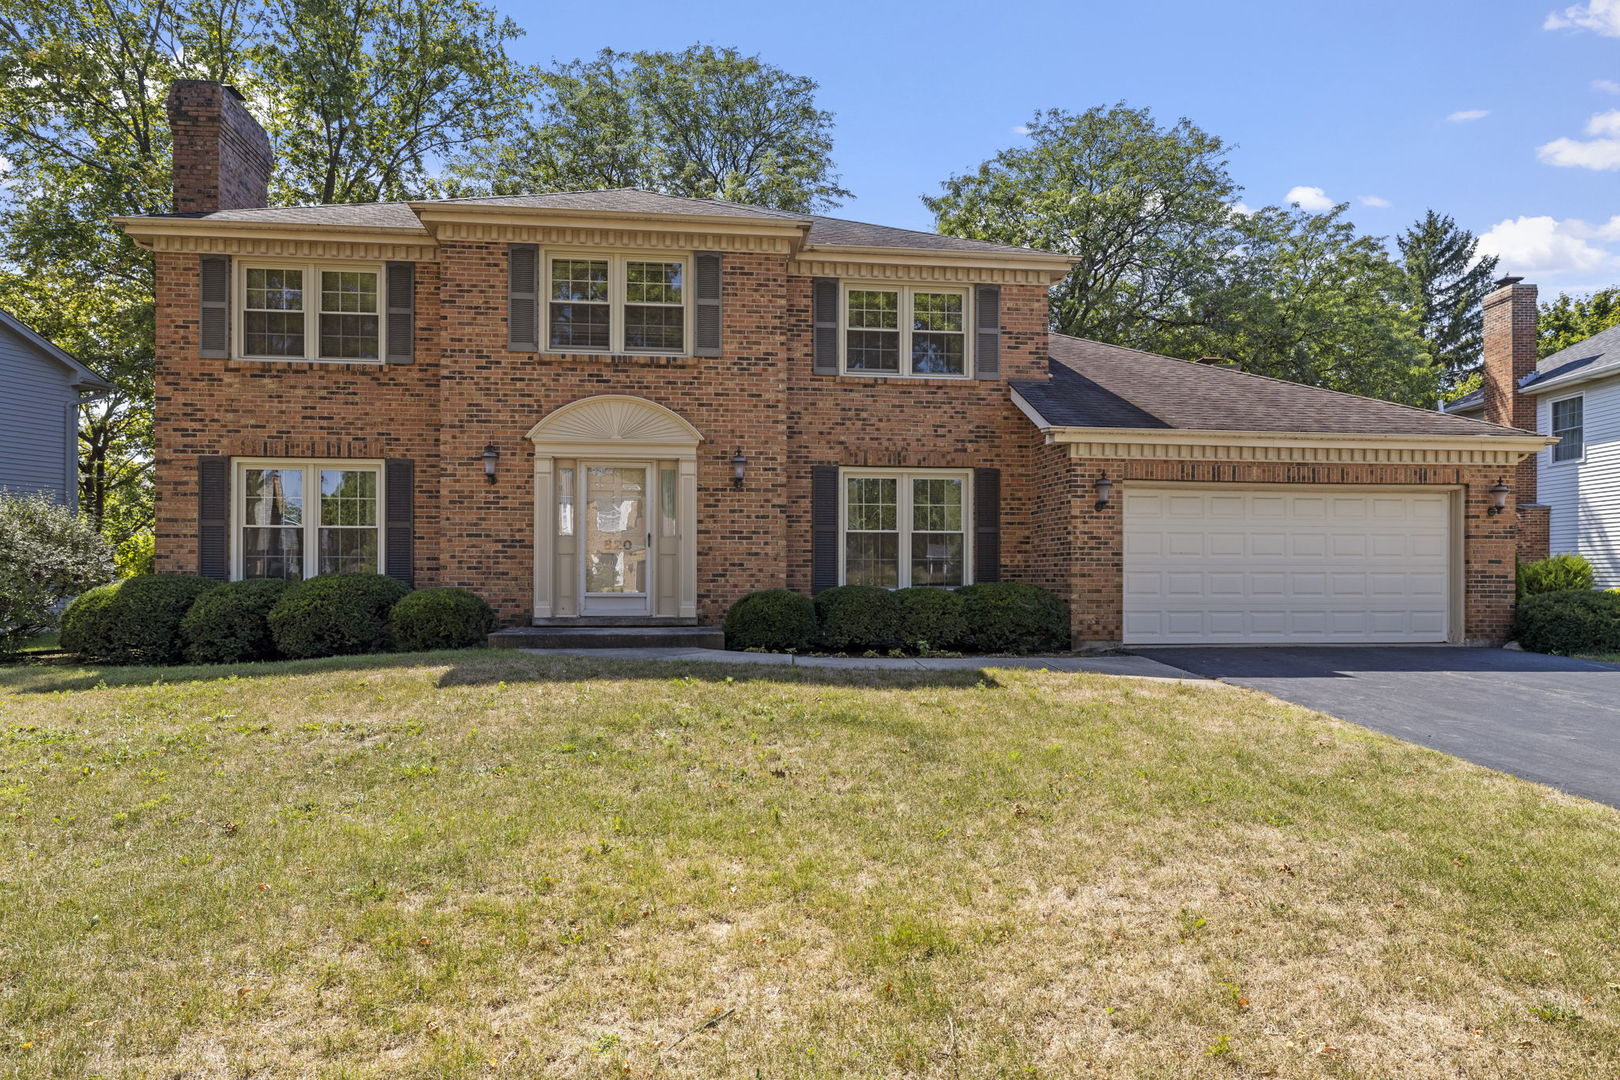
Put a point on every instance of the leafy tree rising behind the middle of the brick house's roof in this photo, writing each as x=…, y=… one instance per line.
x=706, y=122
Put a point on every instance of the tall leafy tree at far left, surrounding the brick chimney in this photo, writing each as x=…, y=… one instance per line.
x=359, y=96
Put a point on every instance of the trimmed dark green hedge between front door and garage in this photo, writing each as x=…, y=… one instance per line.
x=992, y=618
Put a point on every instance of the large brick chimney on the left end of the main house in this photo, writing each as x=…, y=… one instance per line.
x=223, y=156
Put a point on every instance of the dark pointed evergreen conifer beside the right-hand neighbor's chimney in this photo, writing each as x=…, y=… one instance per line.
x=1449, y=283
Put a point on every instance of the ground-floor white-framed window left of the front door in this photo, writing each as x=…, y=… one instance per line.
x=299, y=519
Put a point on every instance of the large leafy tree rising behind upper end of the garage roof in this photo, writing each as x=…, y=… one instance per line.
x=1146, y=210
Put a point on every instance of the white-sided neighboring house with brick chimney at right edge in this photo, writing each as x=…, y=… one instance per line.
x=1572, y=396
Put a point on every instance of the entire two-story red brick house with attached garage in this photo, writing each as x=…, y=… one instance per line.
x=626, y=407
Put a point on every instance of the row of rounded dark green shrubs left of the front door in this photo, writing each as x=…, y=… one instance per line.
x=173, y=618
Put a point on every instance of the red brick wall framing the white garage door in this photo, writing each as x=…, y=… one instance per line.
x=1098, y=590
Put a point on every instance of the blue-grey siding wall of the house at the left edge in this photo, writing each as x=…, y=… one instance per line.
x=36, y=444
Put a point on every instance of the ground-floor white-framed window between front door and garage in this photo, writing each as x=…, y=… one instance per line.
x=903, y=529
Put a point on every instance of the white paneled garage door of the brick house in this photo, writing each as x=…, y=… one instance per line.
x=1221, y=564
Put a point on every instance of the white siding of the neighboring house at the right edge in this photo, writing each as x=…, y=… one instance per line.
x=1585, y=496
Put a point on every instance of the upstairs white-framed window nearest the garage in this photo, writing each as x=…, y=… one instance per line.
x=918, y=331
